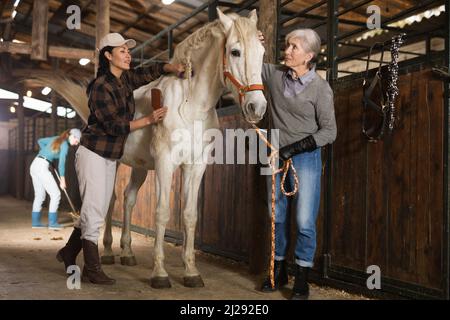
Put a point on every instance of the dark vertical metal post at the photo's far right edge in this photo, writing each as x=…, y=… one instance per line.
x=446, y=220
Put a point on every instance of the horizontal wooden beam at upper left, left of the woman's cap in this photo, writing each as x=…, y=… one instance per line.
x=53, y=51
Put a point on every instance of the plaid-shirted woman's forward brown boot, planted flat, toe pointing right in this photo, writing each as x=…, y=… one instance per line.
x=92, y=271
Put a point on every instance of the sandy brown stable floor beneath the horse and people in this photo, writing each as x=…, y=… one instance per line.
x=29, y=270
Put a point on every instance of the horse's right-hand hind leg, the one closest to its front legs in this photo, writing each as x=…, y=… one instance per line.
x=138, y=176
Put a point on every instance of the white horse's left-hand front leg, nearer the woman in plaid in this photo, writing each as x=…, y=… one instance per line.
x=164, y=172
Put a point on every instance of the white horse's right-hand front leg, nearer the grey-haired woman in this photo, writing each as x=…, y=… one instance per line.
x=192, y=176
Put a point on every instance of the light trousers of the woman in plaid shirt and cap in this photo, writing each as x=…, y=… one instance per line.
x=96, y=177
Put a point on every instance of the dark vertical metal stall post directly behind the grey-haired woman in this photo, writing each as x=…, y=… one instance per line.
x=332, y=32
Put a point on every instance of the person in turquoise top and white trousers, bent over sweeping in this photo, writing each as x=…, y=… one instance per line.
x=50, y=149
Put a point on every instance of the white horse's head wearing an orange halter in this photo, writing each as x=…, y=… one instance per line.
x=243, y=59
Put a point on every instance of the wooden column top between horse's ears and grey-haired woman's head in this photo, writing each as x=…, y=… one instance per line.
x=268, y=24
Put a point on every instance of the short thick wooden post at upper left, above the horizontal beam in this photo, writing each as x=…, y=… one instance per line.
x=39, y=30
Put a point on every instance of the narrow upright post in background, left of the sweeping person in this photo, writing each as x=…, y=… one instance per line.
x=20, y=158
